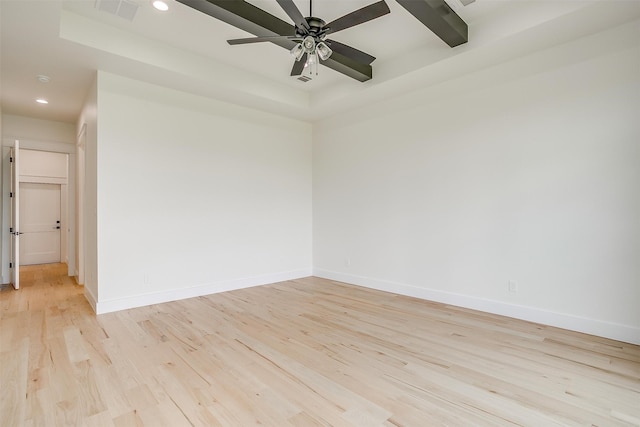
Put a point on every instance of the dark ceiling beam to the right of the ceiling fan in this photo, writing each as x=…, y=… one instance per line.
x=438, y=16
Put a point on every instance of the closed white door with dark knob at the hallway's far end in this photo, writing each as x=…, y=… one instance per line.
x=39, y=223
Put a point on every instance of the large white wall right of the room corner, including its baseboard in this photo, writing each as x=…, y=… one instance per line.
x=514, y=174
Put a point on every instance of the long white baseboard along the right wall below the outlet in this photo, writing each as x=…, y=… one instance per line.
x=571, y=322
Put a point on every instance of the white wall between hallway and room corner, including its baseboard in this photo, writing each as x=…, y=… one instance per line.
x=195, y=196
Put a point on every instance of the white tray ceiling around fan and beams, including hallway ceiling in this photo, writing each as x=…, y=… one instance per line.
x=187, y=50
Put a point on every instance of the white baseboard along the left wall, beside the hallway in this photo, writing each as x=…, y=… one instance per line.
x=109, y=306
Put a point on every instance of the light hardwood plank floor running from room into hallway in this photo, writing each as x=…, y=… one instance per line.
x=308, y=352
